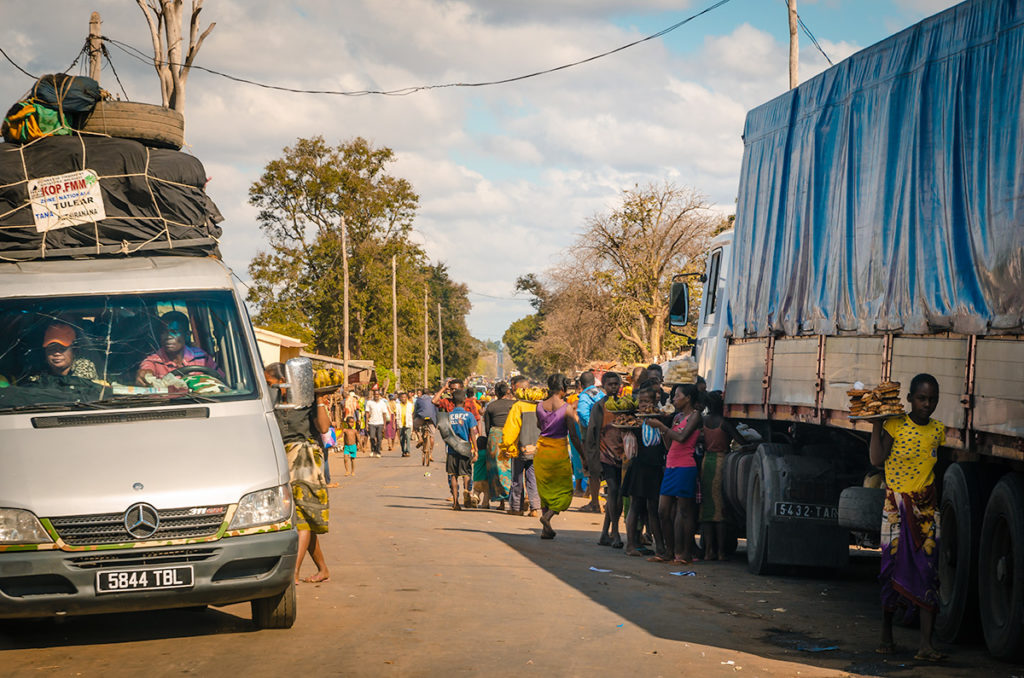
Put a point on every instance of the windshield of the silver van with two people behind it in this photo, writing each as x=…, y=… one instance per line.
x=107, y=351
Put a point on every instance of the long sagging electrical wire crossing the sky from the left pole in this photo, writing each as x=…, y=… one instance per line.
x=405, y=92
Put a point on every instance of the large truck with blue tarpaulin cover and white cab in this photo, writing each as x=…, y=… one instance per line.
x=880, y=234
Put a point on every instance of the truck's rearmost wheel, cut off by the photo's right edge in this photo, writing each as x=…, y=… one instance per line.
x=1001, y=569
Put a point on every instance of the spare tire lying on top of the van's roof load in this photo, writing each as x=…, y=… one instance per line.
x=152, y=125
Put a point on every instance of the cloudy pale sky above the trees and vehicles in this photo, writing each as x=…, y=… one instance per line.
x=506, y=175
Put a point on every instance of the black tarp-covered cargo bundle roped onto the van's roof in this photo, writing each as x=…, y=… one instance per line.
x=155, y=200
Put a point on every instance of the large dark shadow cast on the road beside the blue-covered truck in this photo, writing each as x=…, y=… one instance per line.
x=804, y=617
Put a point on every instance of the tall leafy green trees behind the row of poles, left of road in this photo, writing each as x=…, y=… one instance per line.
x=303, y=198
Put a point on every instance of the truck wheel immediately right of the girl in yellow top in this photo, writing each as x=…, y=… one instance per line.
x=960, y=526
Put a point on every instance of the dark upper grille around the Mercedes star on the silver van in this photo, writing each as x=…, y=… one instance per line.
x=101, y=529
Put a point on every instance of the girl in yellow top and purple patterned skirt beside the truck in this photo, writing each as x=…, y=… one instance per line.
x=908, y=447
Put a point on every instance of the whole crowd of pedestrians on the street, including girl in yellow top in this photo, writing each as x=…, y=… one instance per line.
x=663, y=463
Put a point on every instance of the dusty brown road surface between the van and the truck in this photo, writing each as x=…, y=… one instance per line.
x=418, y=589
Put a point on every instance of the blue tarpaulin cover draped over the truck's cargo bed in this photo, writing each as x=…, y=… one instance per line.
x=887, y=194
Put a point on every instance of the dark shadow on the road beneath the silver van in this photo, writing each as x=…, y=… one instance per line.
x=127, y=627
